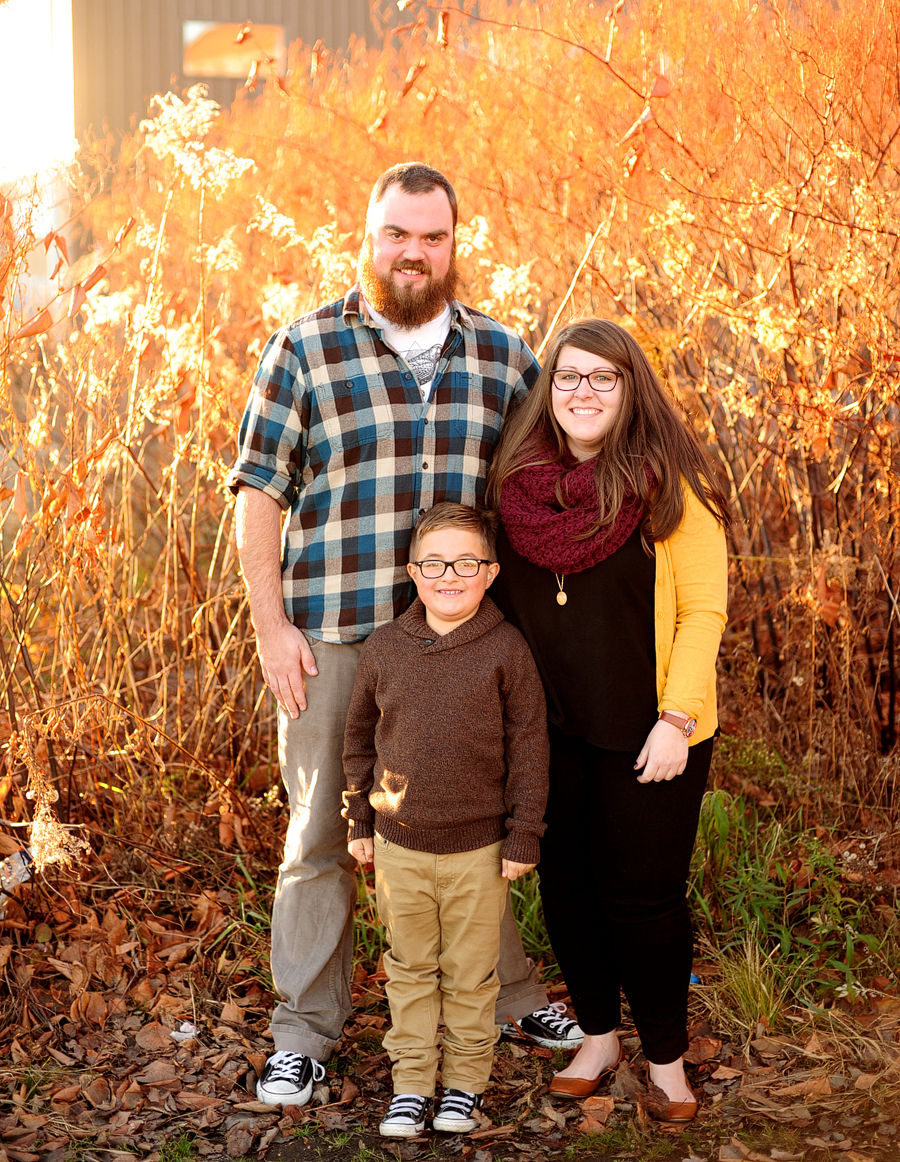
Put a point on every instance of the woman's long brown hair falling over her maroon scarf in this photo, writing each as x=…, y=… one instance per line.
x=649, y=432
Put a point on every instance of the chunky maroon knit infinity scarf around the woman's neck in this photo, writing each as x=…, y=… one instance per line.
x=546, y=535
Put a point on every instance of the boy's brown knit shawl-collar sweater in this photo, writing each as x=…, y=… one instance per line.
x=447, y=741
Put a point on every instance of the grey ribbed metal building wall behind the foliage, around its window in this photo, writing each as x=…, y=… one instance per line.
x=127, y=51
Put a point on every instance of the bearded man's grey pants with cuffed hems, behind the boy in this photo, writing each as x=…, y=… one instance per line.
x=312, y=920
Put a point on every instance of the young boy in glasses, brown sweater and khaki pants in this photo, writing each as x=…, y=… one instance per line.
x=447, y=761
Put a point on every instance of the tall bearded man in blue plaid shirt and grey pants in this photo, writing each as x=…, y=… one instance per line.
x=363, y=415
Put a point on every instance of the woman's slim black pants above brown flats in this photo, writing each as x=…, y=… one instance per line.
x=614, y=876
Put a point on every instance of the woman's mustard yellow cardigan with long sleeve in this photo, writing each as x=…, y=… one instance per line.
x=692, y=599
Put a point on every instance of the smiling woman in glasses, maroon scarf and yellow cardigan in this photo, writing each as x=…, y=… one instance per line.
x=614, y=566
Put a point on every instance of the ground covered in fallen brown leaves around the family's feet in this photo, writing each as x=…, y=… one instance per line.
x=117, y=1048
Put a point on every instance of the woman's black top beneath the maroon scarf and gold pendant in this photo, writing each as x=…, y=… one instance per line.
x=597, y=654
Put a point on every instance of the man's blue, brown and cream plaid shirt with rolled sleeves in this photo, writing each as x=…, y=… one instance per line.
x=336, y=431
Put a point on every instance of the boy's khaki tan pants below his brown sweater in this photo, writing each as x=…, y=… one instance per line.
x=443, y=916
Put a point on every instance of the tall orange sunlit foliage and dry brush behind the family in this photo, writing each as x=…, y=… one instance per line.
x=721, y=178
